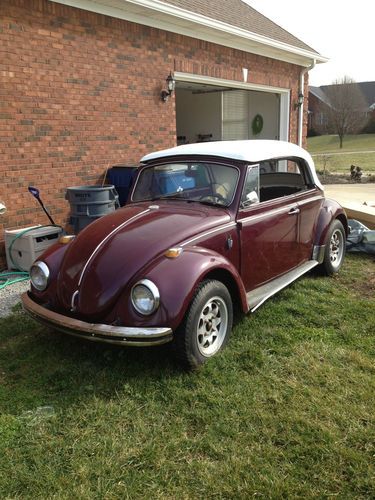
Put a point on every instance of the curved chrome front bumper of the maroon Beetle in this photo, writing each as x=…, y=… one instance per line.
x=120, y=335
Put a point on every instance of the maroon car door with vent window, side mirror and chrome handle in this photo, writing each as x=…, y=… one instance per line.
x=269, y=239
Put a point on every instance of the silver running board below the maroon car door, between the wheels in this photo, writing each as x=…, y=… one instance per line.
x=256, y=297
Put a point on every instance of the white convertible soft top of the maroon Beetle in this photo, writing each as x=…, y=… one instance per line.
x=251, y=151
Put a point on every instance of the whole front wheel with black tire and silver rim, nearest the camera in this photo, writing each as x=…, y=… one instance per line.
x=206, y=326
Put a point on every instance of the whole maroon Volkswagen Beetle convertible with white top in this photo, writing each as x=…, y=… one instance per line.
x=208, y=227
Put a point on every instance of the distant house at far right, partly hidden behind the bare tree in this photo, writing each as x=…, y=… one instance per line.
x=319, y=105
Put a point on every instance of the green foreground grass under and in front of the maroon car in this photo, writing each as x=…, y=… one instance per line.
x=286, y=411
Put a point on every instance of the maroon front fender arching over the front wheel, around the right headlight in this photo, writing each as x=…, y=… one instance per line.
x=177, y=279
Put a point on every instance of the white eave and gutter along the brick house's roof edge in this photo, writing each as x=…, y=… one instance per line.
x=157, y=14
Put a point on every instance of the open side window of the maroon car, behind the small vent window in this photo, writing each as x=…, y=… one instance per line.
x=282, y=177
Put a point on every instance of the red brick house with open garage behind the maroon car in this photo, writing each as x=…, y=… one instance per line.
x=82, y=83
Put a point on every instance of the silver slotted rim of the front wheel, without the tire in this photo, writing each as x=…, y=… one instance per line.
x=212, y=326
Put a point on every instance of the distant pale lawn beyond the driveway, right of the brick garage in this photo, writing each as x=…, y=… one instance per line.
x=356, y=151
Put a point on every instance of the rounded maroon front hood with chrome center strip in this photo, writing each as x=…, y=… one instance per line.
x=110, y=251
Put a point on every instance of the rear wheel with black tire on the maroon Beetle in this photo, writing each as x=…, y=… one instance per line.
x=335, y=249
